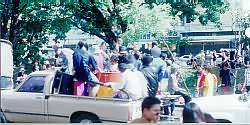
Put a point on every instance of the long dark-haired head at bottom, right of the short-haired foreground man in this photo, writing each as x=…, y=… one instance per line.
x=192, y=113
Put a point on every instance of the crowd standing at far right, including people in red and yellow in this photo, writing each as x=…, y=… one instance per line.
x=207, y=83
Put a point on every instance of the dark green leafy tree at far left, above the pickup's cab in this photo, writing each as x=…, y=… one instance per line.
x=30, y=26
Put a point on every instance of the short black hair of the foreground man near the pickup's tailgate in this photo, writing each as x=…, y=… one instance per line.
x=148, y=102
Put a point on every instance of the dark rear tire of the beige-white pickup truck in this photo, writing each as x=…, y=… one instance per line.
x=85, y=118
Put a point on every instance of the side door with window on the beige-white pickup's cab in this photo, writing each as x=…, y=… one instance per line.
x=28, y=102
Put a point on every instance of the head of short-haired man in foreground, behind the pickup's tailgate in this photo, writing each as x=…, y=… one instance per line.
x=151, y=109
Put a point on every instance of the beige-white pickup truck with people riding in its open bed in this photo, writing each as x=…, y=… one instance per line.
x=33, y=101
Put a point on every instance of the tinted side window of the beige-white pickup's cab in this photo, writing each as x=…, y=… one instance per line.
x=34, y=84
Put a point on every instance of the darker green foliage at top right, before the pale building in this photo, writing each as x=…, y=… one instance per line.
x=203, y=10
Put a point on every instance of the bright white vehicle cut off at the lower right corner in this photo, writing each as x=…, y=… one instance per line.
x=226, y=108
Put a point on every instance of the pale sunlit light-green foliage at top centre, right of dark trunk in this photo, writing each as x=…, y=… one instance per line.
x=143, y=19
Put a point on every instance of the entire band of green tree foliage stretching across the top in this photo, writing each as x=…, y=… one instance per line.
x=28, y=24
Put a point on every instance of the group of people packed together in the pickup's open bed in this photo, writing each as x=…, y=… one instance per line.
x=143, y=74
